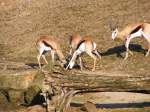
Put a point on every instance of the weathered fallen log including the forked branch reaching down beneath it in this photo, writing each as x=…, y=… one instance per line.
x=73, y=82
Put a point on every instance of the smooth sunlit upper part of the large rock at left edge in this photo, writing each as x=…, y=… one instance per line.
x=17, y=81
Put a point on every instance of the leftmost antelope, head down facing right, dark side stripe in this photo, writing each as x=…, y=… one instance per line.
x=48, y=43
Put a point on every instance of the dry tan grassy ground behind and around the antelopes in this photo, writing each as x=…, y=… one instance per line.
x=23, y=21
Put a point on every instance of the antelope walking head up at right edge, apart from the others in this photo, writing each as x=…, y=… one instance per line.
x=133, y=31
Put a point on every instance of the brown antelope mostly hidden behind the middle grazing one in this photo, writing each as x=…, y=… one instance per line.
x=74, y=40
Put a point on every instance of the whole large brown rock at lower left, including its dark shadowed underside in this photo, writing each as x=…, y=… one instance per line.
x=20, y=87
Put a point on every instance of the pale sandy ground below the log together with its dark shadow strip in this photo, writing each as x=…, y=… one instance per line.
x=114, y=100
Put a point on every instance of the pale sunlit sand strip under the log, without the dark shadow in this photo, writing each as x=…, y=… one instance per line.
x=114, y=97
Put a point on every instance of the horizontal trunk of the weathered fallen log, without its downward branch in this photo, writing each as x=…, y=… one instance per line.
x=100, y=82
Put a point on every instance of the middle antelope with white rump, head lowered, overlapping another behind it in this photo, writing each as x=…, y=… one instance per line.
x=86, y=45
